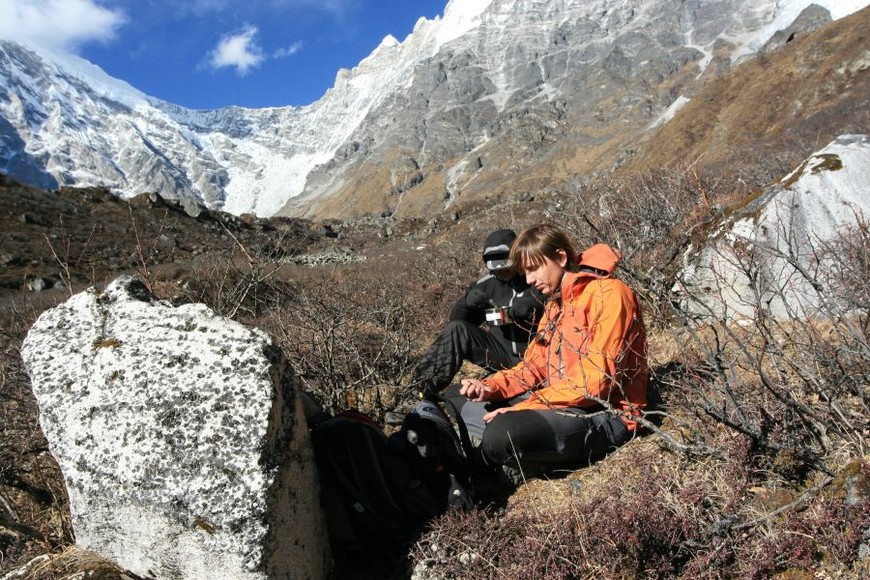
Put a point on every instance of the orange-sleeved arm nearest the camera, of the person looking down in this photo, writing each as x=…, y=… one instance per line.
x=592, y=371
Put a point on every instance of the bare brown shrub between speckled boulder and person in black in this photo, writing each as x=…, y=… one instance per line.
x=353, y=335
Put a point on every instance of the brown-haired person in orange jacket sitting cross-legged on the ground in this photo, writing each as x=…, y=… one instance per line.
x=583, y=379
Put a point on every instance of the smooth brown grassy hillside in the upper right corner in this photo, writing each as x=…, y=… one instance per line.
x=796, y=100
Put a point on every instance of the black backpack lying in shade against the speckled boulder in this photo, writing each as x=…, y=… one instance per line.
x=378, y=492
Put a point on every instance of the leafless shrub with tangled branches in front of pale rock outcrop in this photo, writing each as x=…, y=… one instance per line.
x=793, y=375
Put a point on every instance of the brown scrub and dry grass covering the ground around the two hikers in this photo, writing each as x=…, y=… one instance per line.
x=753, y=462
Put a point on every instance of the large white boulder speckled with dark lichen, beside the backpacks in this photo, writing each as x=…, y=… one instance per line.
x=181, y=438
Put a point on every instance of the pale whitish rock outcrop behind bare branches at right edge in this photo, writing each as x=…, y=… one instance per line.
x=767, y=254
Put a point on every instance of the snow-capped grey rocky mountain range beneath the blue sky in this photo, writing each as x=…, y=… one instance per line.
x=457, y=111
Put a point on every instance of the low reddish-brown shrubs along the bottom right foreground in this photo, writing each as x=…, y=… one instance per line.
x=653, y=515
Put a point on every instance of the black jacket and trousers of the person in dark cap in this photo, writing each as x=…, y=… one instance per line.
x=493, y=348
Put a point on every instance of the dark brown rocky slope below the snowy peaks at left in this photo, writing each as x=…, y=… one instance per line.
x=72, y=238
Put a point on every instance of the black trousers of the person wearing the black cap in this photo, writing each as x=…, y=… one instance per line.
x=459, y=341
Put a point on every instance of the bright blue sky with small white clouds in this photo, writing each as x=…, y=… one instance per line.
x=205, y=54
